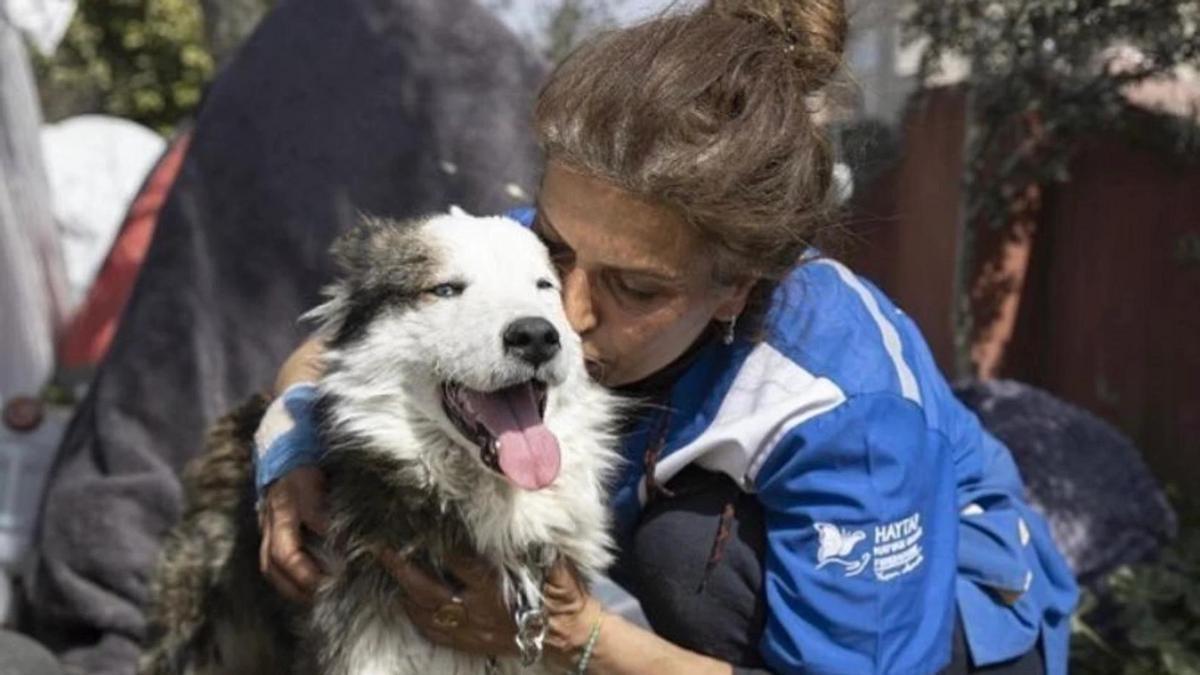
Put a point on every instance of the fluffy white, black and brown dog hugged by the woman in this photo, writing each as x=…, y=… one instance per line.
x=458, y=416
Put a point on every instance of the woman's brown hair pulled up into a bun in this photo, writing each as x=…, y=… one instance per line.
x=710, y=114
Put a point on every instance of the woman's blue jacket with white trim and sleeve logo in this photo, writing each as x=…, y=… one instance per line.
x=887, y=506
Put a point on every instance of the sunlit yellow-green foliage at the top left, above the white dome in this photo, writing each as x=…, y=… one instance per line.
x=145, y=61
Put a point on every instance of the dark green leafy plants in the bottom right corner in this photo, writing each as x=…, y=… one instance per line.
x=1154, y=612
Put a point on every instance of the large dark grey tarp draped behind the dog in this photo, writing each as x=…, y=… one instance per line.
x=392, y=107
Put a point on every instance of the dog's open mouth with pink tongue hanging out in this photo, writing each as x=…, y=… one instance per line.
x=529, y=452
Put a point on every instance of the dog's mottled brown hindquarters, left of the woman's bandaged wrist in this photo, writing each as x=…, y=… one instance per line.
x=212, y=612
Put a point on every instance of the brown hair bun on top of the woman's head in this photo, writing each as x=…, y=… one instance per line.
x=814, y=32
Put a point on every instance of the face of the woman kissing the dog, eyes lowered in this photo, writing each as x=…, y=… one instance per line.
x=638, y=283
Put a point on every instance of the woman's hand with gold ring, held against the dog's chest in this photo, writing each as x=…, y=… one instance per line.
x=487, y=625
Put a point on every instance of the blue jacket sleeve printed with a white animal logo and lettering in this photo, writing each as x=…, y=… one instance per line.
x=861, y=542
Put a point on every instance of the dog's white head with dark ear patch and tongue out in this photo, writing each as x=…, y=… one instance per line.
x=459, y=321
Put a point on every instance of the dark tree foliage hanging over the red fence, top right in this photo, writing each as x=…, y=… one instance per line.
x=1047, y=73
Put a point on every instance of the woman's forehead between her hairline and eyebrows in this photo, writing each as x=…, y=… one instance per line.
x=609, y=226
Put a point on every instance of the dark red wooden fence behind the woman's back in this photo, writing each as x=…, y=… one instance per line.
x=1109, y=318
